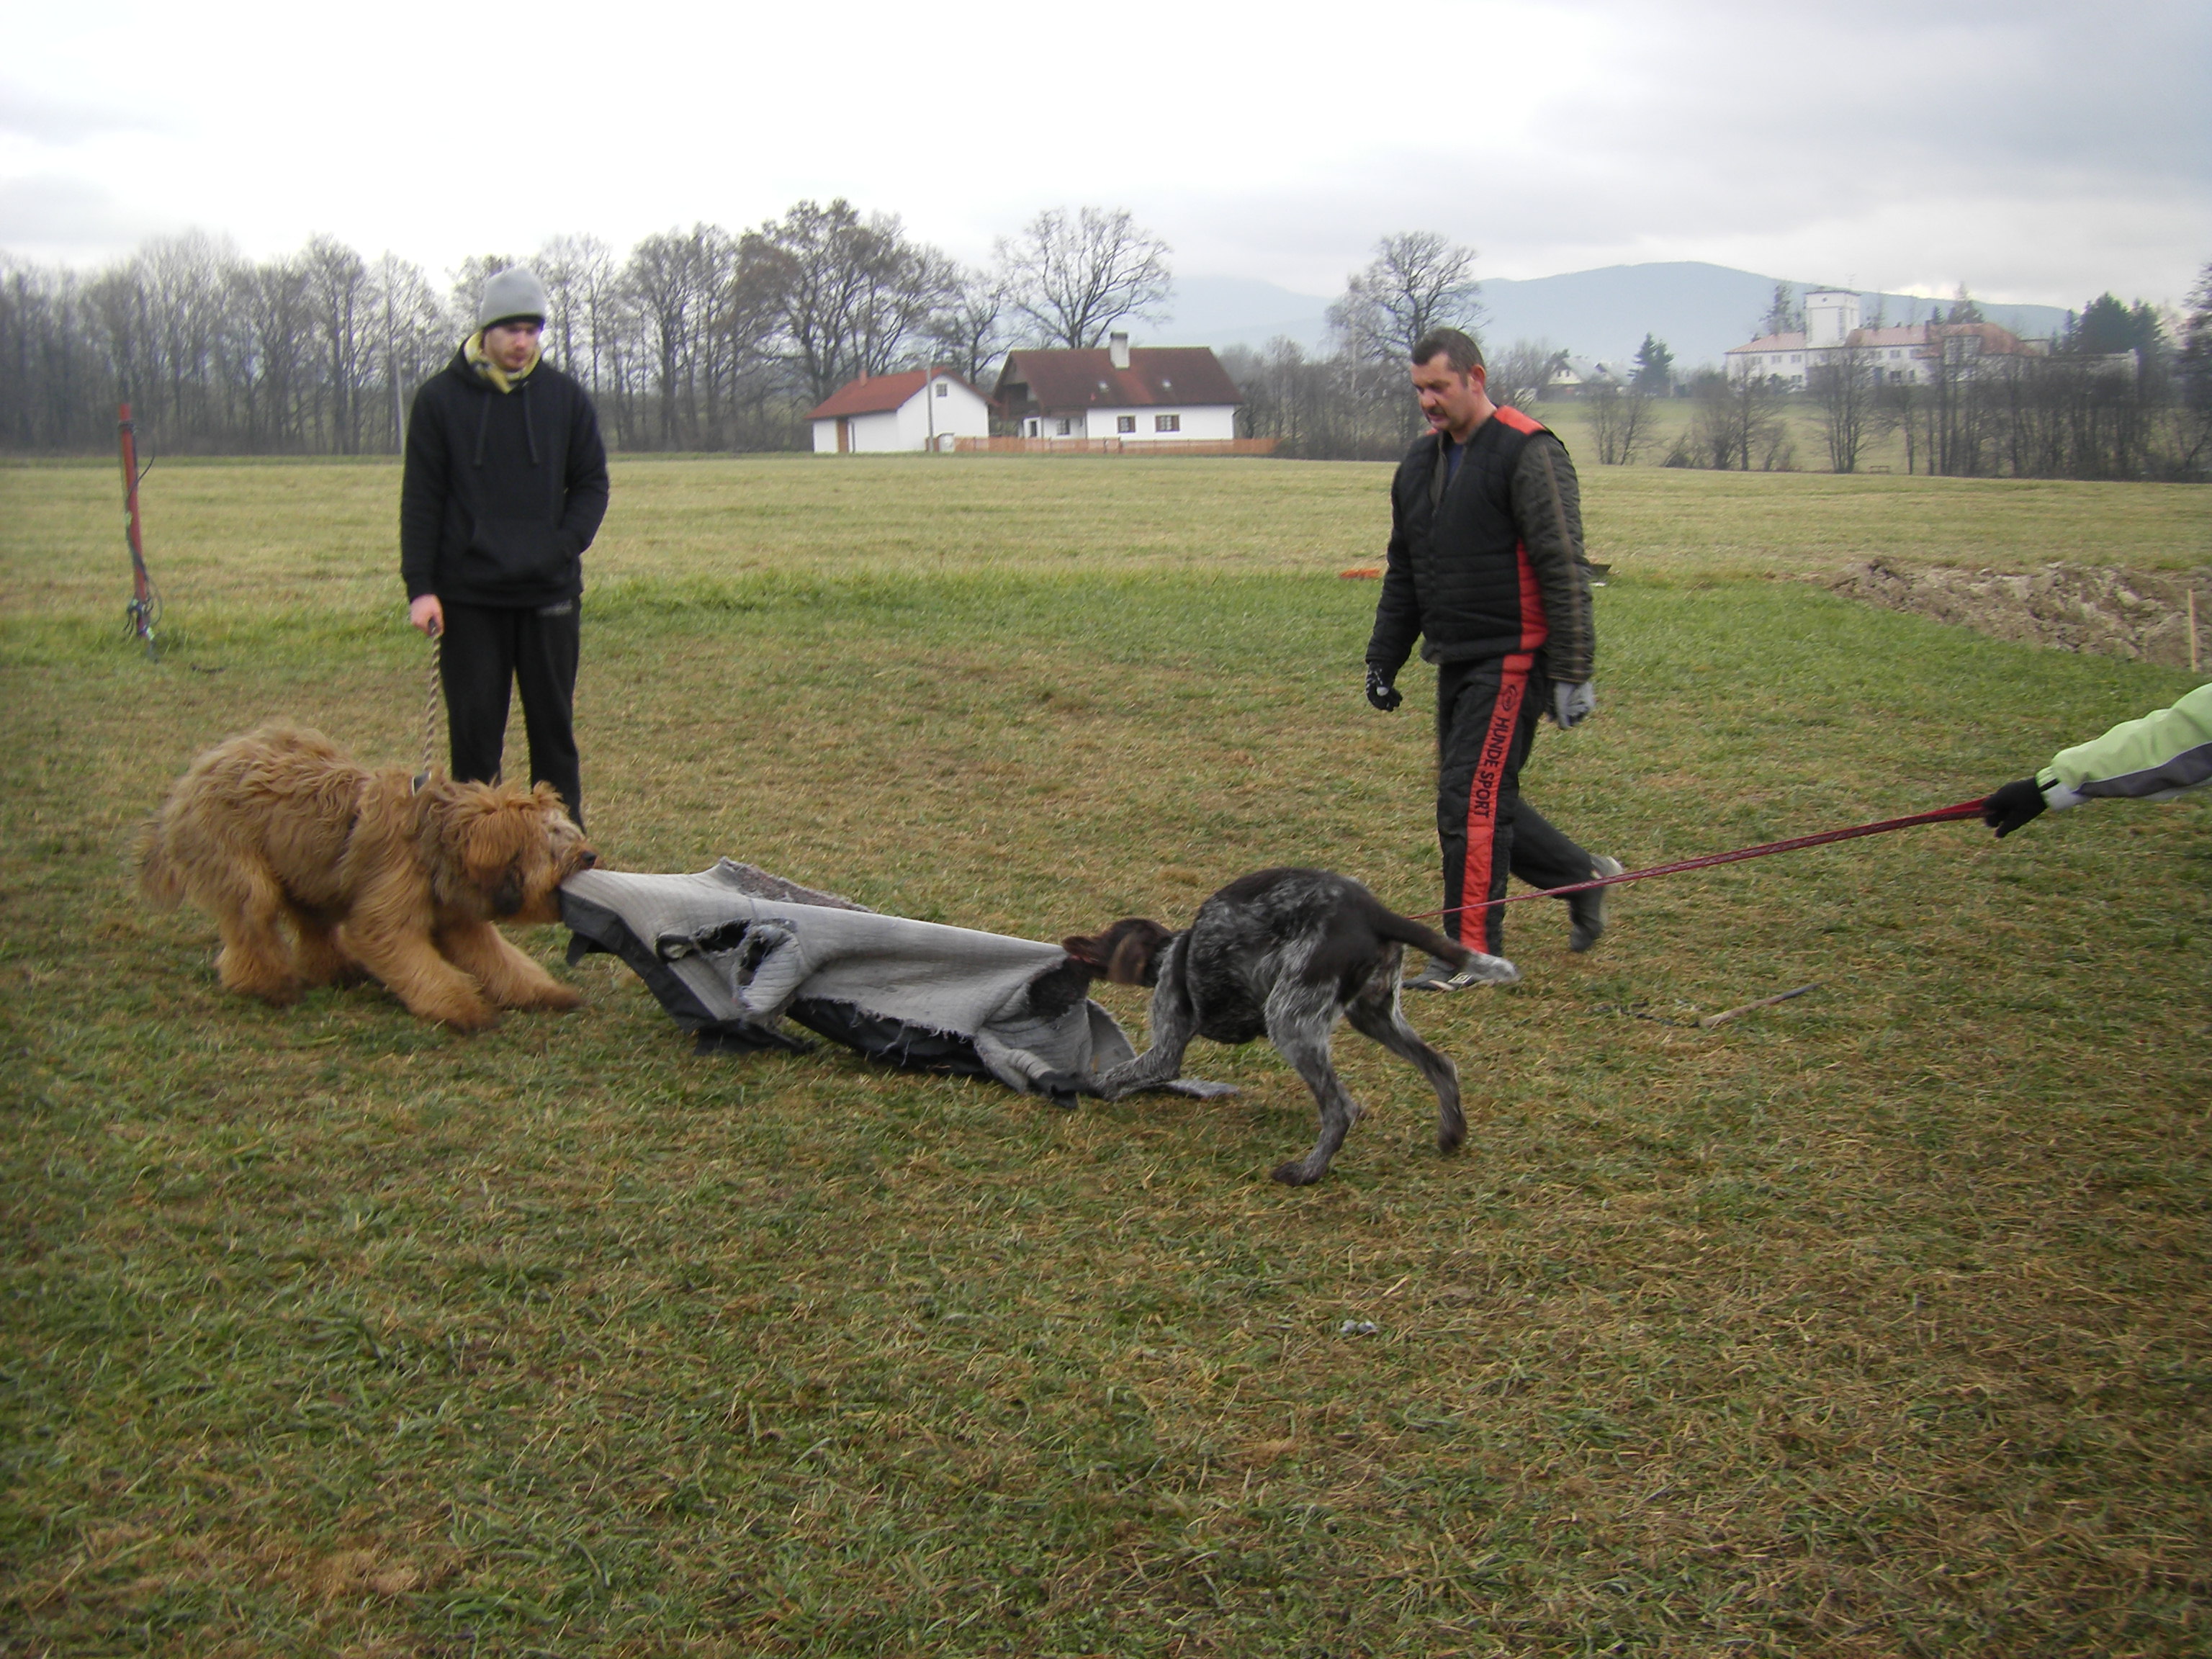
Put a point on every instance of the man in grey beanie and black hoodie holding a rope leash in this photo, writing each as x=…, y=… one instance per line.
x=503, y=490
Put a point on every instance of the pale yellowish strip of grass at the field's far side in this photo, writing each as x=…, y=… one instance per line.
x=322, y=536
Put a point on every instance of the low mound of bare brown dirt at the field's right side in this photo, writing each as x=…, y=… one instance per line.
x=2076, y=607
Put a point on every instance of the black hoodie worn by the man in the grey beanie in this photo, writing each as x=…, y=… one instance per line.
x=503, y=490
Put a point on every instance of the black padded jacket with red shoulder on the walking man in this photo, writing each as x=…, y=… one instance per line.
x=1488, y=563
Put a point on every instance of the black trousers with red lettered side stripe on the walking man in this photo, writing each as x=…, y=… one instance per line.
x=1485, y=720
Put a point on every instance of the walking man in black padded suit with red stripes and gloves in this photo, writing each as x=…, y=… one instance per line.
x=1488, y=572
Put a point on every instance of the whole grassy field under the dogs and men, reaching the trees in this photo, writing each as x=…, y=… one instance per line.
x=1875, y=1324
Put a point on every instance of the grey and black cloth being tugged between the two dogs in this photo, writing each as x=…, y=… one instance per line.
x=733, y=952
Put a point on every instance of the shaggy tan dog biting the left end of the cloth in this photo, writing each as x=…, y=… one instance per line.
x=278, y=831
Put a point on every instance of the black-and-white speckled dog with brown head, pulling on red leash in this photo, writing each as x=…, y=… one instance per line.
x=1284, y=954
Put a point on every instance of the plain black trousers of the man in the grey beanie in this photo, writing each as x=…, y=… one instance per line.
x=492, y=649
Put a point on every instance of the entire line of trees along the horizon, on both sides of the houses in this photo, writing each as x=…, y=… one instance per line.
x=720, y=342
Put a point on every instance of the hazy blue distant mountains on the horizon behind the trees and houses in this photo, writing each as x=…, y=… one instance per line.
x=1700, y=311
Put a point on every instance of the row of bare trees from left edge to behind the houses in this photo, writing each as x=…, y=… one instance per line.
x=696, y=340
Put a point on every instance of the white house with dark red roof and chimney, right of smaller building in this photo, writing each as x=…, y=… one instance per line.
x=1138, y=395
